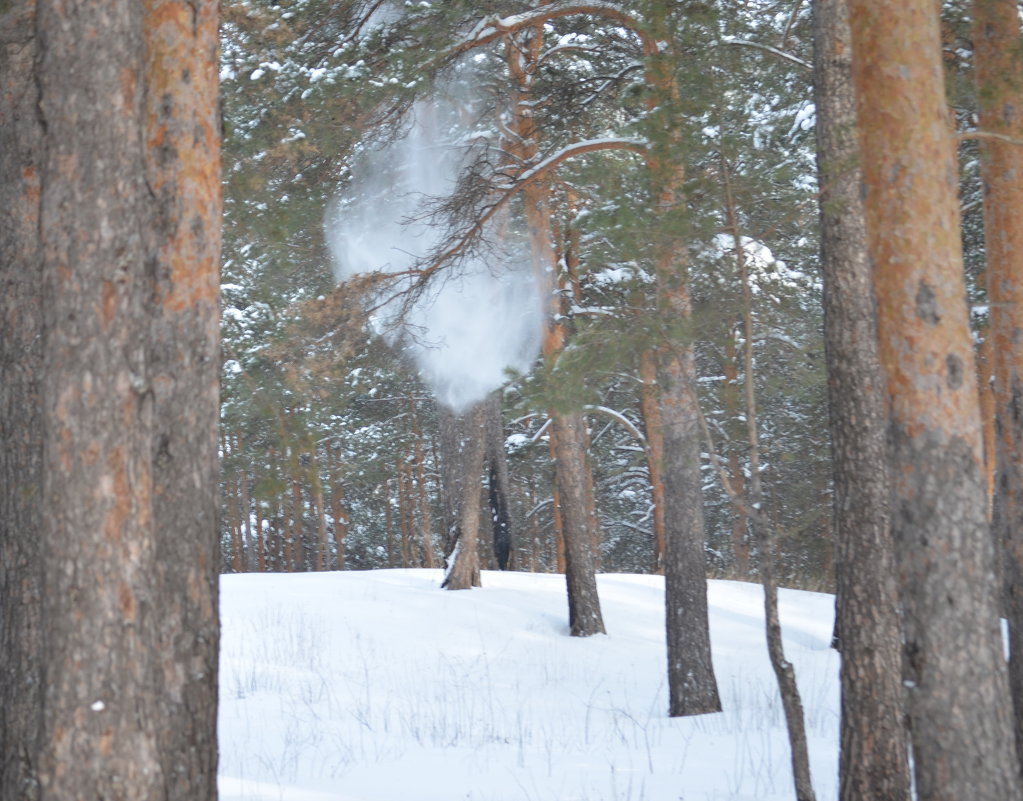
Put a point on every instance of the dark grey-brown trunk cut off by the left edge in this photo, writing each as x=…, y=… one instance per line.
x=21, y=408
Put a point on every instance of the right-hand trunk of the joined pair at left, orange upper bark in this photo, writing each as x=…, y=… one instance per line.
x=184, y=171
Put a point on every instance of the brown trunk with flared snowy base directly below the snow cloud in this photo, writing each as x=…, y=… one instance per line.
x=462, y=451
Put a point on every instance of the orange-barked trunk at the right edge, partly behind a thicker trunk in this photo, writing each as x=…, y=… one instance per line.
x=999, y=71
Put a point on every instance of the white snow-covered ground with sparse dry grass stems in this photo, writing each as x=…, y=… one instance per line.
x=381, y=687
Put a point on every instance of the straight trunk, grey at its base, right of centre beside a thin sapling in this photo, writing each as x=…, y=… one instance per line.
x=692, y=686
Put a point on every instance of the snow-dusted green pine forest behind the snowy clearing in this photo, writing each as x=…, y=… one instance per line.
x=331, y=438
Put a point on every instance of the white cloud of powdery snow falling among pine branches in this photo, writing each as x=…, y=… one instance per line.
x=478, y=319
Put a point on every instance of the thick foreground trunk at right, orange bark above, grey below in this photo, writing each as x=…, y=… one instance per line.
x=961, y=725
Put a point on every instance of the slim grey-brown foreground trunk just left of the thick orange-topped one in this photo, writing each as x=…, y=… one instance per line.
x=874, y=760
